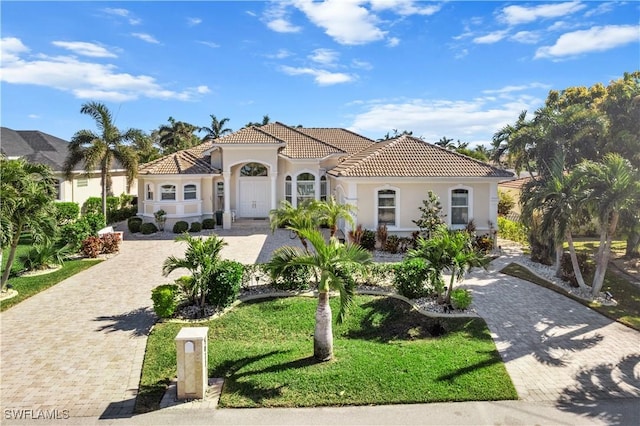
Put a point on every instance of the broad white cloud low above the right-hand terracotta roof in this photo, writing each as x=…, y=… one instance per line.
x=474, y=120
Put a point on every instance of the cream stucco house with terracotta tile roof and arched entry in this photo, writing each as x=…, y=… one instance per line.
x=247, y=173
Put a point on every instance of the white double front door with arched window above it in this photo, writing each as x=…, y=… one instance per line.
x=254, y=191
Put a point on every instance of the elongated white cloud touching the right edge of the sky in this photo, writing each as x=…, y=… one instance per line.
x=595, y=39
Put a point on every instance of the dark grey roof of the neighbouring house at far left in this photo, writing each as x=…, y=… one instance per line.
x=35, y=147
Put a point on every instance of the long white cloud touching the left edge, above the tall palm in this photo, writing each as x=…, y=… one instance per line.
x=85, y=80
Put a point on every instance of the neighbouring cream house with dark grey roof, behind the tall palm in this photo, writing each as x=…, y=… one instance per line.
x=39, y=147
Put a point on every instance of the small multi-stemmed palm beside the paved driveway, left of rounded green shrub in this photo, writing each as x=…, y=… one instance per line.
x=202, y=257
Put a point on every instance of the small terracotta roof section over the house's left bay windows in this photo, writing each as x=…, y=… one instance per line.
x=186, y=162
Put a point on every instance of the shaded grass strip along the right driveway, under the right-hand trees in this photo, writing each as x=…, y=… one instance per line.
x=626, y=312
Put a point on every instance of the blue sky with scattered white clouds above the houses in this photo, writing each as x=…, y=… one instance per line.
x=456, y=69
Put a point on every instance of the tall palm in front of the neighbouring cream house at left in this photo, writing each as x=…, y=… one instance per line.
x=100, y=151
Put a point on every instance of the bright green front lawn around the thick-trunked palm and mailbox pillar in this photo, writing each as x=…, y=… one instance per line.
x=384, y=354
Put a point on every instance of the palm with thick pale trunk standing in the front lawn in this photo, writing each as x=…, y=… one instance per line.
x=332, y=261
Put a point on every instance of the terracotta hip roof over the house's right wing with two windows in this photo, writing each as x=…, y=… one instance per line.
x=407, y=156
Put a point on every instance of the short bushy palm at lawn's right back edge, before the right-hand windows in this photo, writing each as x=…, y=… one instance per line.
x=448, y=250
